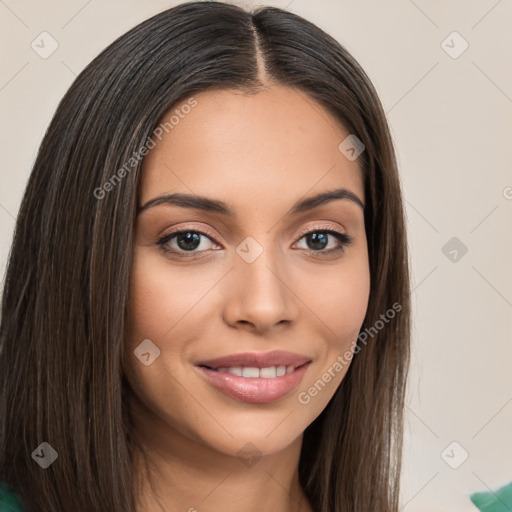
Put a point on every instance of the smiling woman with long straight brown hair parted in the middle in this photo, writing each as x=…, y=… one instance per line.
x=206, y=304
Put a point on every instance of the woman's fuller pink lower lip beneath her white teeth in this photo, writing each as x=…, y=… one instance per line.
x=254, y=390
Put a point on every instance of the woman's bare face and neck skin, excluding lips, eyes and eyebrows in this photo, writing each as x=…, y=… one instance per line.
x=259, y=153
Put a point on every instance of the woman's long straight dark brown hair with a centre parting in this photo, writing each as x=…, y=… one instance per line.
x=66, y=286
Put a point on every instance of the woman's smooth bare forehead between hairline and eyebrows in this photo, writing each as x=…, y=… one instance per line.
x=250, y=150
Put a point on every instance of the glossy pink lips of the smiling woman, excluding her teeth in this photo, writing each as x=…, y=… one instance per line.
x=255, y=389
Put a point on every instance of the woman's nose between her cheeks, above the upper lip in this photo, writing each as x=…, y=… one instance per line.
x=259, y=296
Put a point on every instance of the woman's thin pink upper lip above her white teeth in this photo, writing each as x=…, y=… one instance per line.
x=257, y=360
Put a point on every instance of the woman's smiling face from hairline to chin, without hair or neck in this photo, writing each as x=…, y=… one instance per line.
x=248, y=286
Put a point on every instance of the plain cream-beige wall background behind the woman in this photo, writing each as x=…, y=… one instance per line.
x=451, y=119
